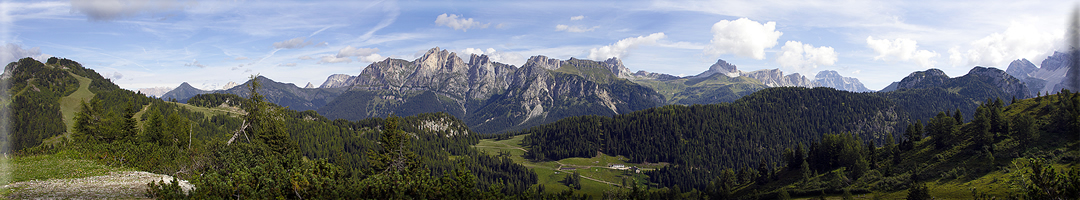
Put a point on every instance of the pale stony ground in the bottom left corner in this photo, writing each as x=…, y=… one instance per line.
x=117, y=185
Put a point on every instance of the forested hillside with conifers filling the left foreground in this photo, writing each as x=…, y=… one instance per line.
x=248, y=137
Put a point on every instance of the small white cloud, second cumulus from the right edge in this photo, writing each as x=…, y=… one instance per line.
x=902, y=49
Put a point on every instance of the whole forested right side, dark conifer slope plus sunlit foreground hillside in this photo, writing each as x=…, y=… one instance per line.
x=790, y=142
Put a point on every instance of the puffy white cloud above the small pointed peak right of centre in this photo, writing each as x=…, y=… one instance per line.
x=744, y=37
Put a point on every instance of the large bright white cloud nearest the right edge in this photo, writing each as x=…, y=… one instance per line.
x=1019, y=42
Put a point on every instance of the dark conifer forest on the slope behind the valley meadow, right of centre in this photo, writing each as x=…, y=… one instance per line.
x=700, y=138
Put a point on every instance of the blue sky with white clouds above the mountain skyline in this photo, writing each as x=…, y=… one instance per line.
x=161, y=44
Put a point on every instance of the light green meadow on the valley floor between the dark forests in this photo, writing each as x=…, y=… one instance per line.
x=593, y=168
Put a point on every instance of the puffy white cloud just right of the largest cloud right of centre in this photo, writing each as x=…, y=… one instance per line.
x=804, y=58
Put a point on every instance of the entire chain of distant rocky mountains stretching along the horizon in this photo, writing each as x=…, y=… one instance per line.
x=493, y=97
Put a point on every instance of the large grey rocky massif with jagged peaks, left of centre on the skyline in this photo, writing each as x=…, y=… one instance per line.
x=490, y=97
